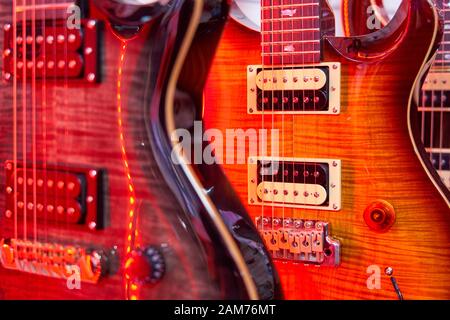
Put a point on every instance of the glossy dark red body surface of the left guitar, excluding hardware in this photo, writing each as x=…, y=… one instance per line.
x=104, y=126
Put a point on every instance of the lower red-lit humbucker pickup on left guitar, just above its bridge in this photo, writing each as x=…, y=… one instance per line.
x=63, y=194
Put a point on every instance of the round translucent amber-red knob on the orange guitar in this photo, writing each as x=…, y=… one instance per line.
x=380, y=216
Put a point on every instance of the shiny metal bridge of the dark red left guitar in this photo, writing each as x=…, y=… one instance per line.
x=53, y=260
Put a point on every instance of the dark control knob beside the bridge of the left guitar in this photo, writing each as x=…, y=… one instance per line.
x=145, y=266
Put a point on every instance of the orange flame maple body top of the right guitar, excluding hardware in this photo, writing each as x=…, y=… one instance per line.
x=379, y=162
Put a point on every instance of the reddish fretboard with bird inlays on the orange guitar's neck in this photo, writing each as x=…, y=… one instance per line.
x=290, y=32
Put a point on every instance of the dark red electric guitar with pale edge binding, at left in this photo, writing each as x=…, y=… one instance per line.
x=92, y=206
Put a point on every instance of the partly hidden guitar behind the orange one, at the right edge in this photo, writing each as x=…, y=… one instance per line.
x=430, y=120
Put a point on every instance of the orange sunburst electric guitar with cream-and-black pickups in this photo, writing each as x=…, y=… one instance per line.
x=335, y=185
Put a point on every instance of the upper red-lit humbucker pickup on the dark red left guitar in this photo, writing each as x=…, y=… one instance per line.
x=60, y=52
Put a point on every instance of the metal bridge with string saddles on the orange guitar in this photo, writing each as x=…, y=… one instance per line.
x=299, y=240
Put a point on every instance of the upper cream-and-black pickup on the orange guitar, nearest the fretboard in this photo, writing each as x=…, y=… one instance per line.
x=309, y=89
